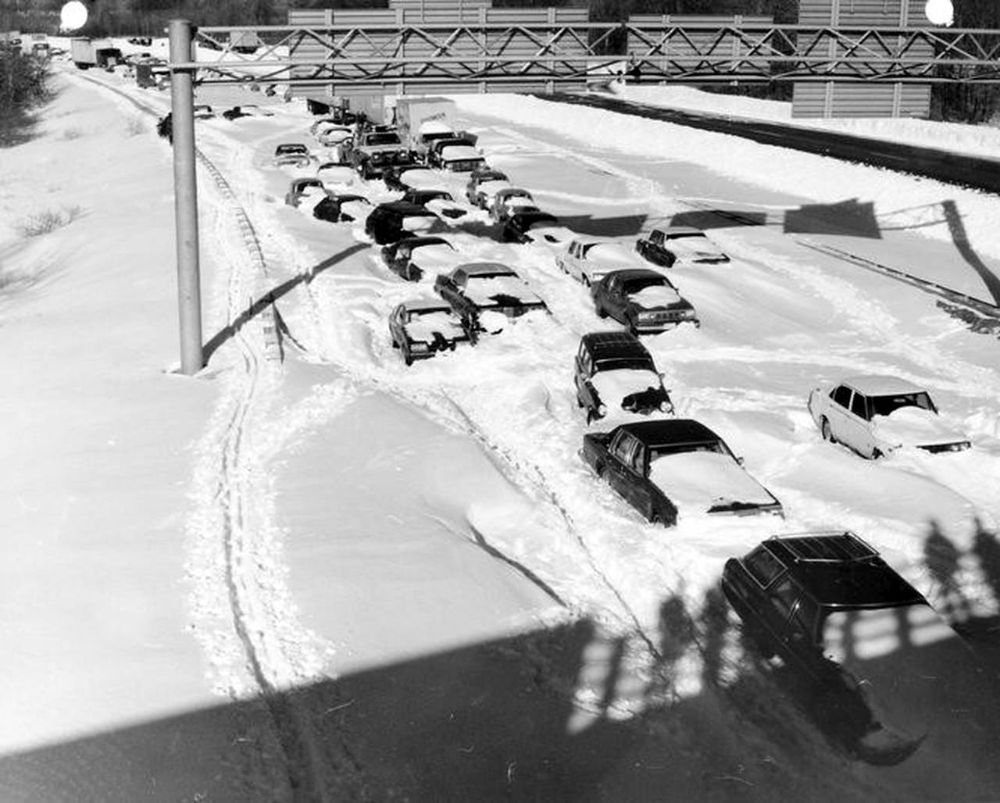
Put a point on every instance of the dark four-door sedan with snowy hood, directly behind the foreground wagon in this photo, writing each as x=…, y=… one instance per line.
x=675, y=466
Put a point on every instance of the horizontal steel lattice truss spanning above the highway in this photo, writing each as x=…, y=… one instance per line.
x=503, y=54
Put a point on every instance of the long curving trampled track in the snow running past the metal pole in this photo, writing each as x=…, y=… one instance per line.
x=273, y=648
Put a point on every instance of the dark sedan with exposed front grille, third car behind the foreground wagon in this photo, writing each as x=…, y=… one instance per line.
x=643, y=300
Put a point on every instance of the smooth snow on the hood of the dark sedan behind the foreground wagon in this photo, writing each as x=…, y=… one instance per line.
x=698, y=481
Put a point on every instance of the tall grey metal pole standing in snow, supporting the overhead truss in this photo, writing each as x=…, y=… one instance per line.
x=185, y=196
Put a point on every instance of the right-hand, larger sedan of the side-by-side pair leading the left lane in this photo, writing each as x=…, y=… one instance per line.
x=484, y=293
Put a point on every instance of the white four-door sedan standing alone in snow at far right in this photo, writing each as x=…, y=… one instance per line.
x=875, y=415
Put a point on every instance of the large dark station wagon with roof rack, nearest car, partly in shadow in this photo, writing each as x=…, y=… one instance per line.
x=844, y=621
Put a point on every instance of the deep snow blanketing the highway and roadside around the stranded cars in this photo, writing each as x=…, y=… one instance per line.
x=336, y=513
